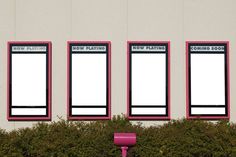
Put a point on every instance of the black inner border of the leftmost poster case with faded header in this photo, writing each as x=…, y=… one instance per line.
x=10, y=78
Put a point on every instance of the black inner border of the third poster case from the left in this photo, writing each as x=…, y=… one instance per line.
x=130, y=78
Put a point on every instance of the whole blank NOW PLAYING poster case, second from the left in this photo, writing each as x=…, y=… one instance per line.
x=89, y=80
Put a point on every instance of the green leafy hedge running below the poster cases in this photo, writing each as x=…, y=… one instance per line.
x=178, y=138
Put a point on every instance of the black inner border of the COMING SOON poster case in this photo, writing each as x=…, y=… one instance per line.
x=226, y=77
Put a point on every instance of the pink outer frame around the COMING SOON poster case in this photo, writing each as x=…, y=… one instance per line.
x=187, y=82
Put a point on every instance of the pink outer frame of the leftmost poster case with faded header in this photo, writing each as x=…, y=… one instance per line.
x=48, y=118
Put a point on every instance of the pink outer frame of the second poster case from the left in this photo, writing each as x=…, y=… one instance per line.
x=109, y=81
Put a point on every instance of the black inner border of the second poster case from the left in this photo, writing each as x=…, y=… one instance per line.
x=70, y=78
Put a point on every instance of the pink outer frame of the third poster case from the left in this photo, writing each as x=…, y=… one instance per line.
x=168, y=82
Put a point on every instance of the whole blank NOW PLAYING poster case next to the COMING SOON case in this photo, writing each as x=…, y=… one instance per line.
x=148, y=80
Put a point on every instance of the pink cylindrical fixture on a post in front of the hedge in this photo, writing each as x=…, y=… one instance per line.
x=124, y=140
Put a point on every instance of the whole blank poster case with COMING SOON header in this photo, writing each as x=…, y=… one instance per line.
x=207, y=84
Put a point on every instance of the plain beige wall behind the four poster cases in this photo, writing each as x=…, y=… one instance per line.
x=118, y=21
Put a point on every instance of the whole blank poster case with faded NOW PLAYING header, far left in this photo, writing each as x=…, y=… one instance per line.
x=29, y=80
